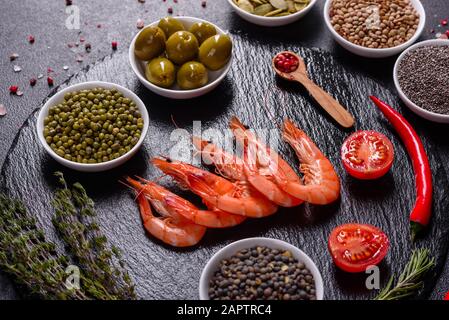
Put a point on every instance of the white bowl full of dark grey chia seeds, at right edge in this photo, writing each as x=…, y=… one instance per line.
x=420, y=76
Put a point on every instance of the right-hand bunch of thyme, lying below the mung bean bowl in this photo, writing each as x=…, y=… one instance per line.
x=75, y=222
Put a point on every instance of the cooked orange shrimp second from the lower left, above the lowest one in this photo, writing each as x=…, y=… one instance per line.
x=172, y=204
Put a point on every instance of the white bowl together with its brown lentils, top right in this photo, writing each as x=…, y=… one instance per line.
x=375, y=28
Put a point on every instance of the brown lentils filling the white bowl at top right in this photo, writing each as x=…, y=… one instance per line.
x=394, y=23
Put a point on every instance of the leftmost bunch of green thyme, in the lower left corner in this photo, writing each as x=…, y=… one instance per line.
x=28, y=257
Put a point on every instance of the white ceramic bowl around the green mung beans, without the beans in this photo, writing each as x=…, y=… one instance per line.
x=94, y=167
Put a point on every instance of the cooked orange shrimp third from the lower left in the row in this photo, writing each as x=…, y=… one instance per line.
x=232, y=197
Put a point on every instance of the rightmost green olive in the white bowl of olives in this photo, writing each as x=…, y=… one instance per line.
x=216, y=51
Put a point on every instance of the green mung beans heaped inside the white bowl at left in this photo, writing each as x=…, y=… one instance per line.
x=93, y=126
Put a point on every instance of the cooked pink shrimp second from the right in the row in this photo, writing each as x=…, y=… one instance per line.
x=262, y=164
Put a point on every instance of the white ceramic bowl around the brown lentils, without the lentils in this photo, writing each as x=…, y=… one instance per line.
x=372, y=52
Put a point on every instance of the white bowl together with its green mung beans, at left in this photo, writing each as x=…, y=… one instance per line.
x=92, y=126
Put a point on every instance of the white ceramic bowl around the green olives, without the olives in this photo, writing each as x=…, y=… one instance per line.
x=215, y=77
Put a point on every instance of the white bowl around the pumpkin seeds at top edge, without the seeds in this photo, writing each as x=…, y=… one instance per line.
x=271, y=21
